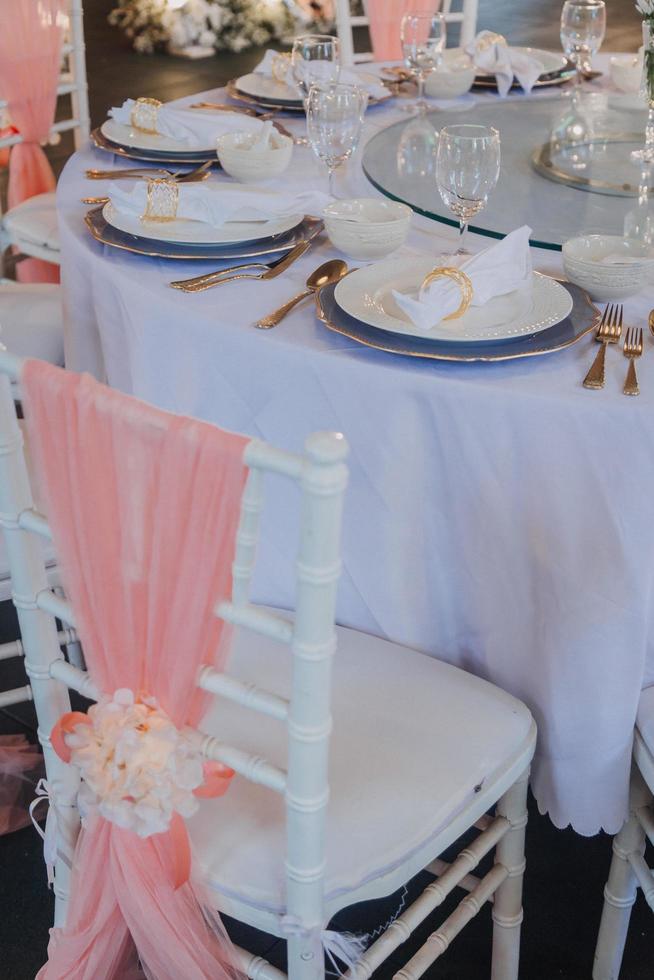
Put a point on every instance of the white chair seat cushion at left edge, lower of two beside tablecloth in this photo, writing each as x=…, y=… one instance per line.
x=31, y=320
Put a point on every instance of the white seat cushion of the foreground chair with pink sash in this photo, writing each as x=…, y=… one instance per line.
x=414, y=740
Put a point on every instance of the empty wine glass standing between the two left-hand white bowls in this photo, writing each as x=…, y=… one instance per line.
x=334, y=121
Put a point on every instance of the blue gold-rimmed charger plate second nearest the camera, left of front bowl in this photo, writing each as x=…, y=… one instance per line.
x=105, y=233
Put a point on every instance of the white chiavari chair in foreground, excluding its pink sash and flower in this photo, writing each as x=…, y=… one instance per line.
x=350, y=784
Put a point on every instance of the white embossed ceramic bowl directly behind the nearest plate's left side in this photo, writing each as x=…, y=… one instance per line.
x=365, y=228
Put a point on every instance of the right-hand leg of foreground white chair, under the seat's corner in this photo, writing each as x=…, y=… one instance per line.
x=507, y=904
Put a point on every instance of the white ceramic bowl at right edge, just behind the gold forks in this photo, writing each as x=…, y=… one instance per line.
x=629, y=270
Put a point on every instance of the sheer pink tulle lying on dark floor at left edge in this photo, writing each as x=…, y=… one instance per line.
x=21, y=767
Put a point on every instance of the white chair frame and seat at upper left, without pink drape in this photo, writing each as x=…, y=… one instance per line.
x=32, y=226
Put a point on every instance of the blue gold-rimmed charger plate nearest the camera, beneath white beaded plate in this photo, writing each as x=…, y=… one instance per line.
x=581, y=321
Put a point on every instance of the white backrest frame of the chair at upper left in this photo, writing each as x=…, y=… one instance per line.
x=72, y=90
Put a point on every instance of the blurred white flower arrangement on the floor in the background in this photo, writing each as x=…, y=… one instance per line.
x=230, y=25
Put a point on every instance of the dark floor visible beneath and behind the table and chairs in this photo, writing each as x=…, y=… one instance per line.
x=566, y=873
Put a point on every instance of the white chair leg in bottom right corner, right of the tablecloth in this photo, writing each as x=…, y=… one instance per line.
x=621, y=887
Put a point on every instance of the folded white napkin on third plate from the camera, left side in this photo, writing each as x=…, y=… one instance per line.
x=193, y=127
